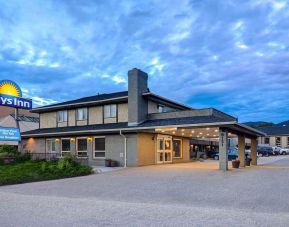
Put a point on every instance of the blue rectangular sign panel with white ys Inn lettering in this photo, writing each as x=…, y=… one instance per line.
x=17, y=102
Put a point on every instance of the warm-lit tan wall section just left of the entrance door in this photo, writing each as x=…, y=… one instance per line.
x=146, y=149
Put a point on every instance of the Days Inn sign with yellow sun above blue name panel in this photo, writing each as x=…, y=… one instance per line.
x=11, y=95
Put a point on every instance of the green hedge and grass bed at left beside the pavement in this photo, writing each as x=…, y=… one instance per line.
x=30, y=171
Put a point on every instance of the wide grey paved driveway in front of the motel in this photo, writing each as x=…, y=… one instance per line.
x=168, y=195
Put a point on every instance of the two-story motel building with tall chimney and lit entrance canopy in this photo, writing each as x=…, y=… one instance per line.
x=134, y=127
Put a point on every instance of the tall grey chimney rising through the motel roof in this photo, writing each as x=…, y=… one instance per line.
x=137, y=105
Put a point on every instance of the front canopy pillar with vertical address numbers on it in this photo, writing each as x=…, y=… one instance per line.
x=223, y=149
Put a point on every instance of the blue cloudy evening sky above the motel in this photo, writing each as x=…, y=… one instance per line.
x=232, y=55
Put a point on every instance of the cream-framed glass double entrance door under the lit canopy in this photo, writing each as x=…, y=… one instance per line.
x=164, y=149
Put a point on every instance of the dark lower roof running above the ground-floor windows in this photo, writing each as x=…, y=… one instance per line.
x=89, y=129
